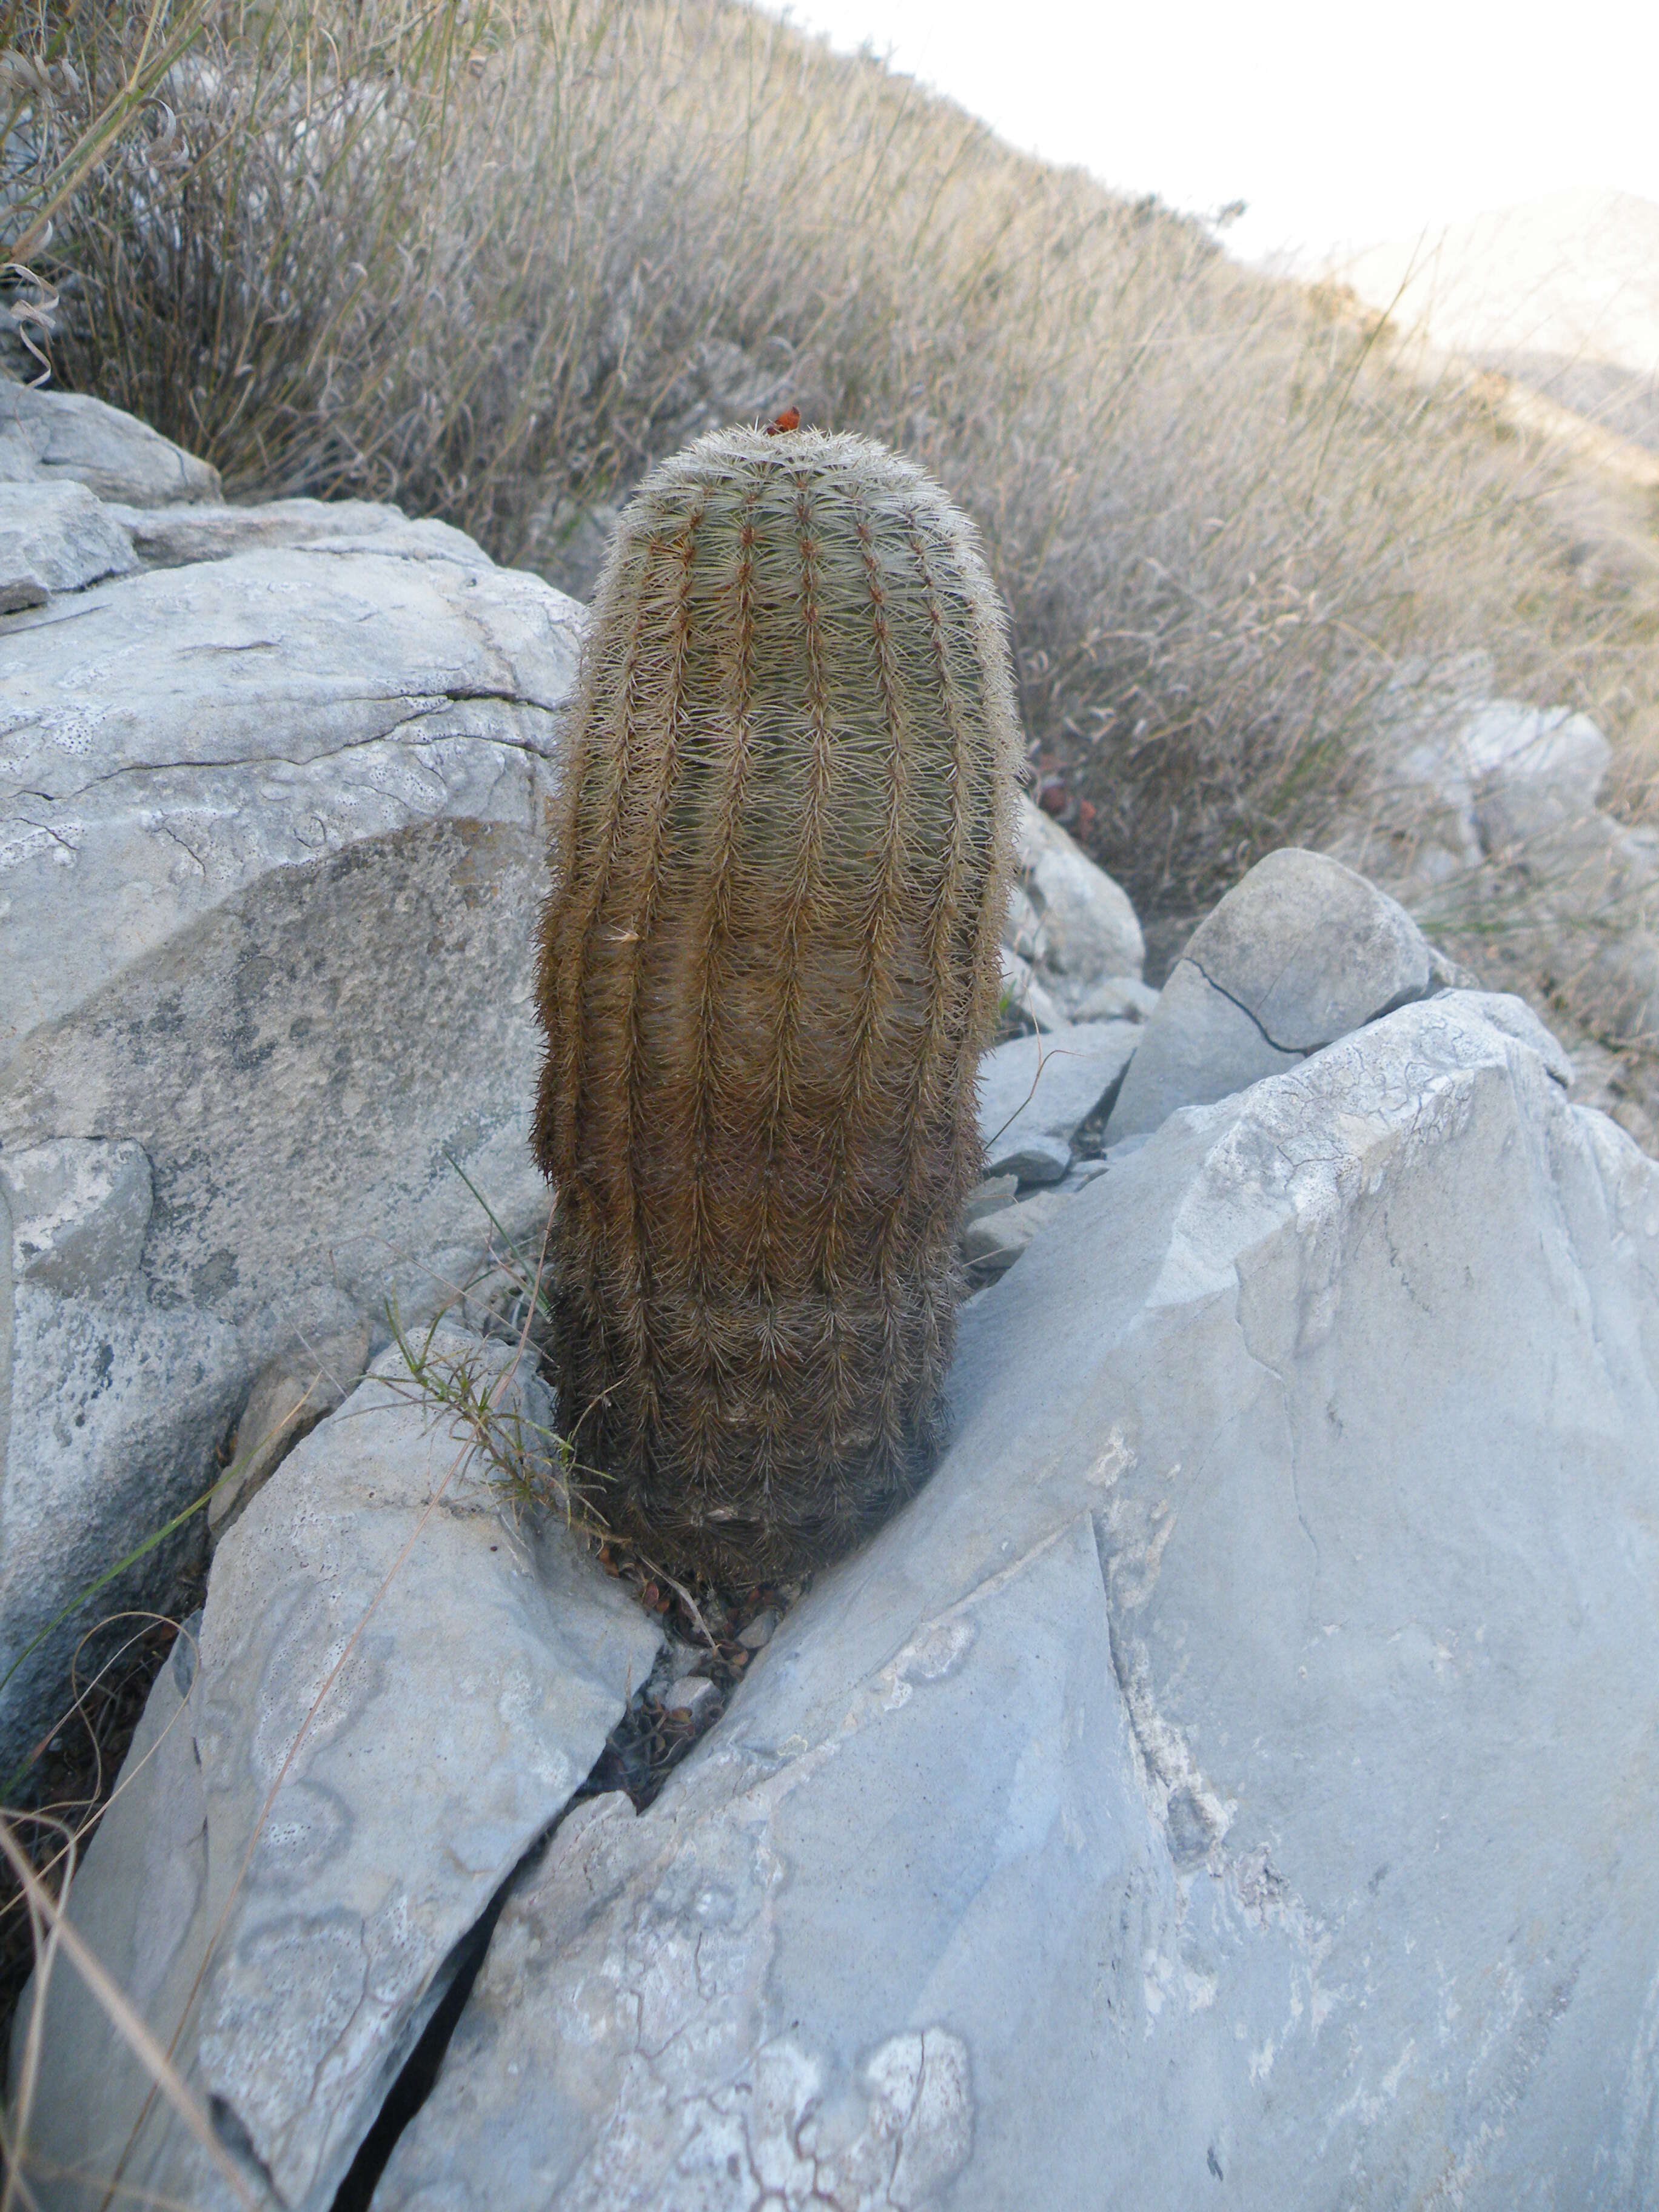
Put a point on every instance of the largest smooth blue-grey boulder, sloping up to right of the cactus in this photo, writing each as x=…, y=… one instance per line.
x=1229, y=1782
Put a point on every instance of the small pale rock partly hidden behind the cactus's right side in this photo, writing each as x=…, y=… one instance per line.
x=1070, y=924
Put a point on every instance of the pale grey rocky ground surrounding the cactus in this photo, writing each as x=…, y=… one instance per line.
x=1229, y=1773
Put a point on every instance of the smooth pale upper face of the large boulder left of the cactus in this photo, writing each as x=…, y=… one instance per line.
x=244, y=720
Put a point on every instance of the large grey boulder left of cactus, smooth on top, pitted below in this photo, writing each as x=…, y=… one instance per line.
x=271, y=855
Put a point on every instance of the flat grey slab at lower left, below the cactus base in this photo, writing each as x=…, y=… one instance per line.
x=397, y=1695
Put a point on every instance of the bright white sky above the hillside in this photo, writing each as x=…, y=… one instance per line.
x=1337, y=125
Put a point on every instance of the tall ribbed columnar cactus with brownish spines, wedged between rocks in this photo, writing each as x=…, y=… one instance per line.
x=769, y=968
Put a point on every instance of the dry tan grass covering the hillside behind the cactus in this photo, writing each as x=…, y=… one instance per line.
x=490, y=260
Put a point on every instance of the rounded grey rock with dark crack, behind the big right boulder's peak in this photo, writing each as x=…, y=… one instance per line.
x=1295, y=957
